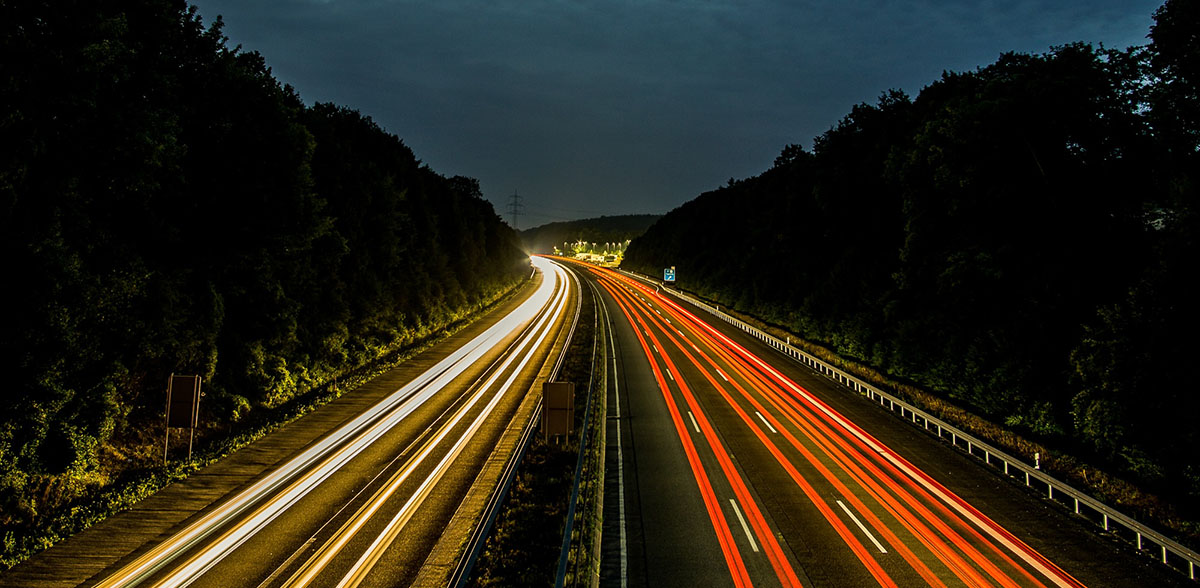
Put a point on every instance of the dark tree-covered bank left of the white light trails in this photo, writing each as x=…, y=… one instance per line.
x=167, y=206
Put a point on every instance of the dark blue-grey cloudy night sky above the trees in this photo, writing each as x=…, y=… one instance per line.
x=591, y=109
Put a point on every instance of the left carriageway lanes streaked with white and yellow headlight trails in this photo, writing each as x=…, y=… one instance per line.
x=368, y=503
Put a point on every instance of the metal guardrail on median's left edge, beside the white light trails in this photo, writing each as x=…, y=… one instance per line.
x=478, y=539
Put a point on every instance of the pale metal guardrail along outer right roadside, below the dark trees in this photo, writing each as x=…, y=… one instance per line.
x=1173, y=554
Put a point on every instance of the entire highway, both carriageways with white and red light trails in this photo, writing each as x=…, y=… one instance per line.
x=727, y=465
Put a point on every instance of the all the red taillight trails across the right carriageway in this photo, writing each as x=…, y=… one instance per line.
x=937, y=535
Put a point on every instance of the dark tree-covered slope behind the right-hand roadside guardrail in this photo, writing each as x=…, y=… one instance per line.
x=1021, y=238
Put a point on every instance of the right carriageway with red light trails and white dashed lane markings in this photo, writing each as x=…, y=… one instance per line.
x=736, y=467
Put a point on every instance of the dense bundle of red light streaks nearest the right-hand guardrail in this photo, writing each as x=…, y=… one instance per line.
x=833, y=435
